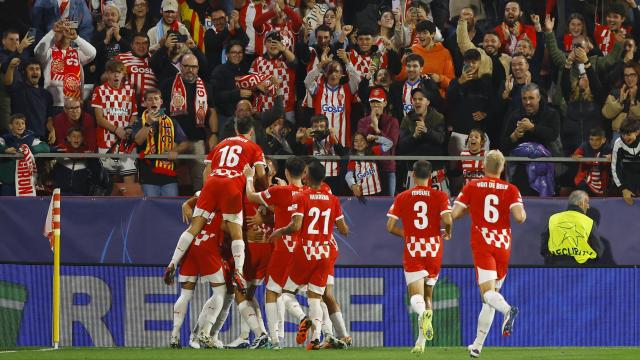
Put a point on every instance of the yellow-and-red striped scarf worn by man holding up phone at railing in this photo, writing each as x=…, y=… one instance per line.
x=165, y=136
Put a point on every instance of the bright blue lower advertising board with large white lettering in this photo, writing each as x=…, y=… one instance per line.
x=131, y=306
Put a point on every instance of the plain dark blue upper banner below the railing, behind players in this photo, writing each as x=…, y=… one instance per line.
x=145, y=231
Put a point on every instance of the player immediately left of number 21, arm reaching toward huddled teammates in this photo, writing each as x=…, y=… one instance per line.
x=279, y=198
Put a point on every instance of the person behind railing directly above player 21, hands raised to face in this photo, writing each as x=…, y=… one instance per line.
x=320, y=139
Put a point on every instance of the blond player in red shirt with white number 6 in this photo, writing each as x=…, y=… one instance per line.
x=489, y=201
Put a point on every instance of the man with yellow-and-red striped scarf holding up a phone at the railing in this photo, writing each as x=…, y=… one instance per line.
x=158, y=134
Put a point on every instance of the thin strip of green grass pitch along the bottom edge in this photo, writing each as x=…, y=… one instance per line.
x=434, y=353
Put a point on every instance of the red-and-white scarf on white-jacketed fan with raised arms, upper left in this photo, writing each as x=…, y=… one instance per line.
x=67, y=69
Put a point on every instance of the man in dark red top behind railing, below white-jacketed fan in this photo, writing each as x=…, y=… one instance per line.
x=74, y=117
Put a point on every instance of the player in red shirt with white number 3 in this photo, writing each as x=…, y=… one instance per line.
x=421, y=209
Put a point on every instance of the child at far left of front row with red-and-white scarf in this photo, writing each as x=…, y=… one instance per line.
x=10, y=143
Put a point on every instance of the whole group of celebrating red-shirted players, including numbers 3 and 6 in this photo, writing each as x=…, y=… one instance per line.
x=244, y=232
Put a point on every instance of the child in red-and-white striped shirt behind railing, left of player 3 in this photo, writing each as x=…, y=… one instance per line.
x=363, y=176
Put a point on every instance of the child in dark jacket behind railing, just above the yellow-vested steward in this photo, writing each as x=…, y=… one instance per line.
x=593, y=177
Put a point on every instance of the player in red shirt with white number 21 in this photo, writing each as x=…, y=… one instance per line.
x=314, y=214
